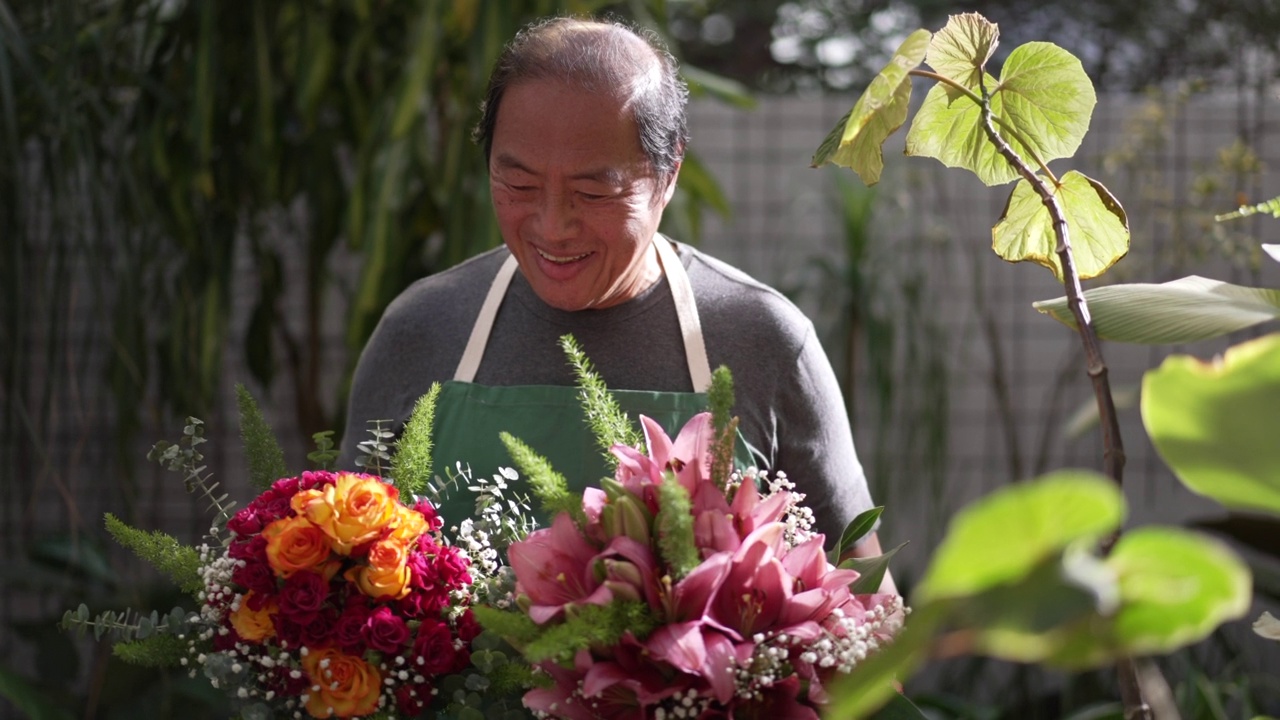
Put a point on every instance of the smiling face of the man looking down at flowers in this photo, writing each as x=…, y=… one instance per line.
x=577, y=199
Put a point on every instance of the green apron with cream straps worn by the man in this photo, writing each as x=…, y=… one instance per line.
x=470, y=417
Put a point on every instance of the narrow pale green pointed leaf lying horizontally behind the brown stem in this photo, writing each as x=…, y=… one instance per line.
x=1183, y=311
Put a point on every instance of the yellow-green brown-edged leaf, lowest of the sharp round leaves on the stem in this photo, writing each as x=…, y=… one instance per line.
x=1096, y=222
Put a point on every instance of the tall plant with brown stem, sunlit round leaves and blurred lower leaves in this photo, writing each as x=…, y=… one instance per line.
x=1039, y=572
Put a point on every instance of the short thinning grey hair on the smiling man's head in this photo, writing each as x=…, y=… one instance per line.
x=600, y=57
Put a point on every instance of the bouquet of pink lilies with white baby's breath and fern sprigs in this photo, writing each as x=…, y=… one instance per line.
x=679, y=591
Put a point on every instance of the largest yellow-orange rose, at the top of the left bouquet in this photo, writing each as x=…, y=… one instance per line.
x=355, y=511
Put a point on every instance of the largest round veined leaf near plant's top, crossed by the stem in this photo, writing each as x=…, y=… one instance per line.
x=1043, y=108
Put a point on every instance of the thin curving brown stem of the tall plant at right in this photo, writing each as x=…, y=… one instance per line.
x=1136, y=708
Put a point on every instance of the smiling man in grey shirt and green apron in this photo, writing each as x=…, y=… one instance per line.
x=584, y=130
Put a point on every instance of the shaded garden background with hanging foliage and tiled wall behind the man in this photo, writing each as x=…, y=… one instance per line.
x=193, y=226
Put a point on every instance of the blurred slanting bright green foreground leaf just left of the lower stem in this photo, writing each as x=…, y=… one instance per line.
x=1009, y=534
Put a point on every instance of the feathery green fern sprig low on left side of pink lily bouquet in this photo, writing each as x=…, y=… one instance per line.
x=592, y=626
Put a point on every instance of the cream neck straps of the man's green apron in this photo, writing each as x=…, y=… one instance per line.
x=682, y=291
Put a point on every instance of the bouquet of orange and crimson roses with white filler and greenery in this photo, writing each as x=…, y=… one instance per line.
x=332, y=594
